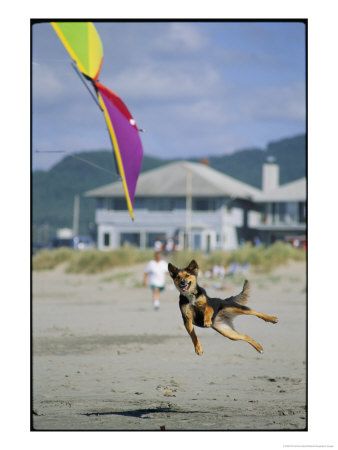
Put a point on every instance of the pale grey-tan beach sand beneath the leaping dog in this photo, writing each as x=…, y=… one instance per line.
x=104, y=360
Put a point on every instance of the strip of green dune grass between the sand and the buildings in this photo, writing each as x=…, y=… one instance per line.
x=262, y=259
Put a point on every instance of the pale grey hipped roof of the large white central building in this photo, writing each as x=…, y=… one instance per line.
x=170, y=180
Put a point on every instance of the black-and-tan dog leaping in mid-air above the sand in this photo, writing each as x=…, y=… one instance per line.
x=197, y=308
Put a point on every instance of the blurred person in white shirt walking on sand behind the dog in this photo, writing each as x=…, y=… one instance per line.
x=154, y=276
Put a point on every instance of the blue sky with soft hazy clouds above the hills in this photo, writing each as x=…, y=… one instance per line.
x=197, y=88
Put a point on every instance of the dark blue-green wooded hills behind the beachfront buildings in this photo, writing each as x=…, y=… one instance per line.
x=53, y=191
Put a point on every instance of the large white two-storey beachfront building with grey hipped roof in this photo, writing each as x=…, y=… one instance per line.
x=192, y=203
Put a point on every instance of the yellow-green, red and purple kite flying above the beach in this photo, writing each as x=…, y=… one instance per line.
x=84, y=46
